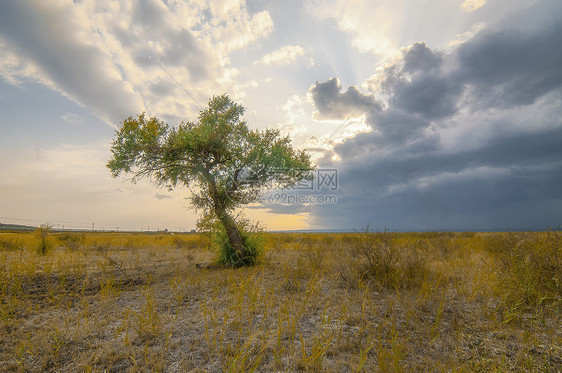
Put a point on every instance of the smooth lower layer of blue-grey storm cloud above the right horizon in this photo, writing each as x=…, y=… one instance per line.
x=423, y=187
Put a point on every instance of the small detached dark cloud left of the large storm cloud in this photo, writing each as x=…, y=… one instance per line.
x=330, y=103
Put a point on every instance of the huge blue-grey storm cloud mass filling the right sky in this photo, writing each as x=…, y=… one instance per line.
x=468, y=139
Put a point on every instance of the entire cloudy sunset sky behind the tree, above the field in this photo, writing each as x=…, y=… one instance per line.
x=419, y=114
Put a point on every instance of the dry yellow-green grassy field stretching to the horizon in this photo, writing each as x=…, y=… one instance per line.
x=387, y=302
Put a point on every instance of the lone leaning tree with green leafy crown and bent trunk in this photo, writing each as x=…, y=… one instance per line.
x=224, y=163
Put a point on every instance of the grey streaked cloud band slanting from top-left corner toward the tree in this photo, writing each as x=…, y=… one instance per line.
x=74, y=66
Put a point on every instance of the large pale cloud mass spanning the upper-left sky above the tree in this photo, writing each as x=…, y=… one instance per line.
x=102, y=54
